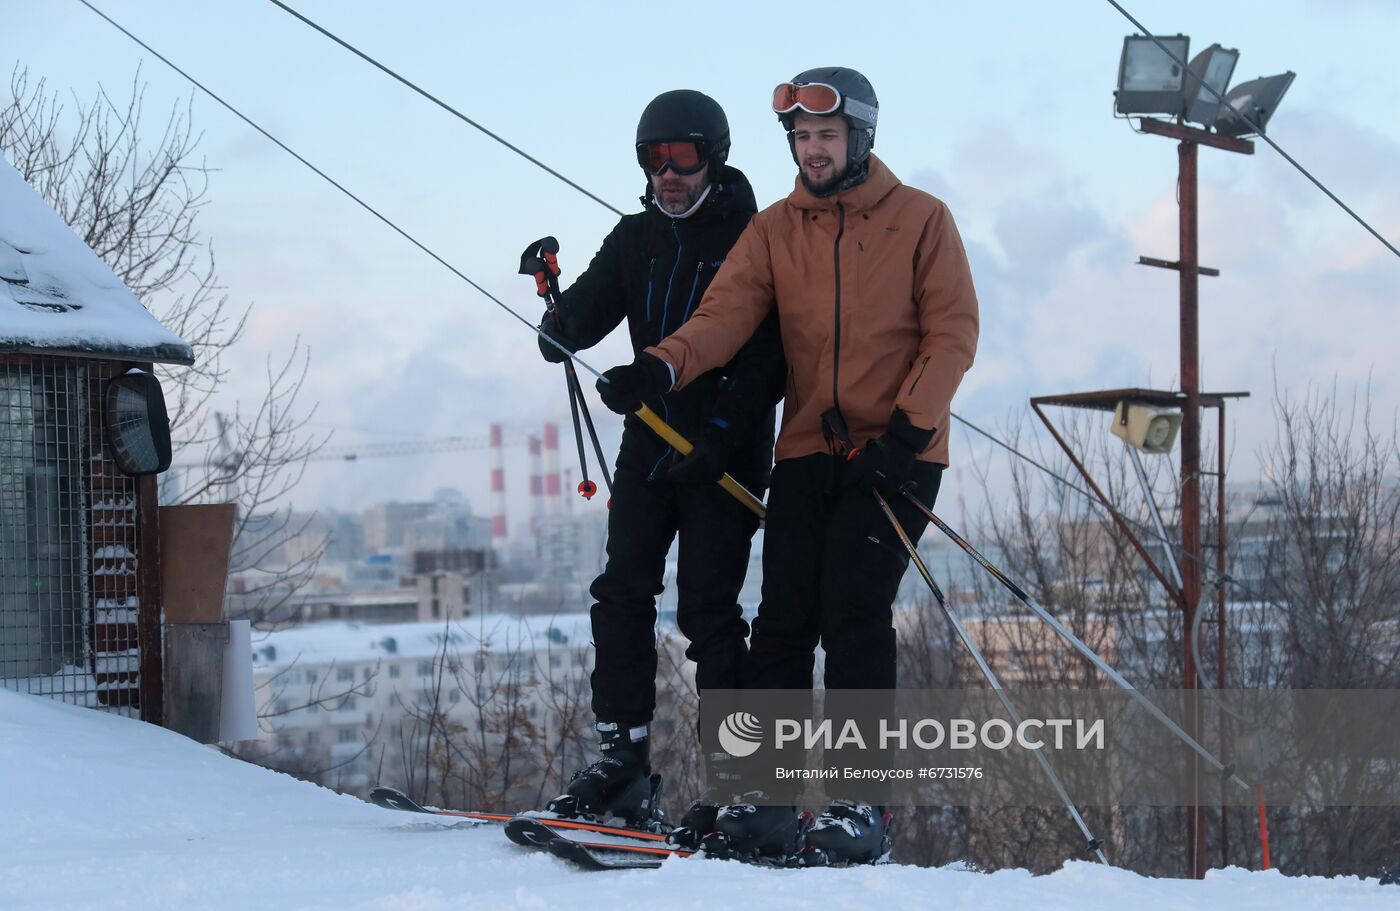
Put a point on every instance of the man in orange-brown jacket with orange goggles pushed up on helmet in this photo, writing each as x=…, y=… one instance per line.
x=880, y=324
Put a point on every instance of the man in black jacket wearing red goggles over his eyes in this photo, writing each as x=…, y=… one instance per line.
x=653, y=271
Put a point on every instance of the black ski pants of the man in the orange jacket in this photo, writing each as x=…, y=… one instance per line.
x=832, y=567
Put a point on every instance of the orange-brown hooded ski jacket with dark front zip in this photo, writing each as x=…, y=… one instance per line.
x=876, y=304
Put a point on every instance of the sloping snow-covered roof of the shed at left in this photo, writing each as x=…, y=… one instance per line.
x=57, y=297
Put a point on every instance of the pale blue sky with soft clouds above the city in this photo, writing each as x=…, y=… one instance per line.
x=1002, y=108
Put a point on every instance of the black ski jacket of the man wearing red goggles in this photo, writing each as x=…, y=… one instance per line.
x=653, y=271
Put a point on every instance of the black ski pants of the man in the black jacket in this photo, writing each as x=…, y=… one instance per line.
x=713, y=558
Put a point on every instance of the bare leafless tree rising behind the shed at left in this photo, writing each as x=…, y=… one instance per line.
x=134, y=190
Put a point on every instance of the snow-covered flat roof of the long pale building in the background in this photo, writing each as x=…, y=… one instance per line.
x=348, y=643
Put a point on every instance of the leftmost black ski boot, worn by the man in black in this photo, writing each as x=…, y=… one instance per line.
x=619, y=786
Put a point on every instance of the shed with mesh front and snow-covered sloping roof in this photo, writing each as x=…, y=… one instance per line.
x=80, y=574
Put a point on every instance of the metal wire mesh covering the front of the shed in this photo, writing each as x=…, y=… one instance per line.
x=68, y=541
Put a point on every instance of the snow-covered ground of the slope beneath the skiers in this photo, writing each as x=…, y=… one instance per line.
x=106, y=812
